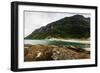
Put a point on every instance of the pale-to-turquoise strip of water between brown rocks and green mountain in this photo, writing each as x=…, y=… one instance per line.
x=54, y=42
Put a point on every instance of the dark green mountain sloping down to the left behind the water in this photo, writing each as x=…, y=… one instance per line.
x=76, y=26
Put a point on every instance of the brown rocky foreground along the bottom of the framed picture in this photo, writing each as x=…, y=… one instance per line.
x=53, y=52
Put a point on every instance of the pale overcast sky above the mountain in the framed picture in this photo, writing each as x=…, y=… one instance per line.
x=34, y=20
